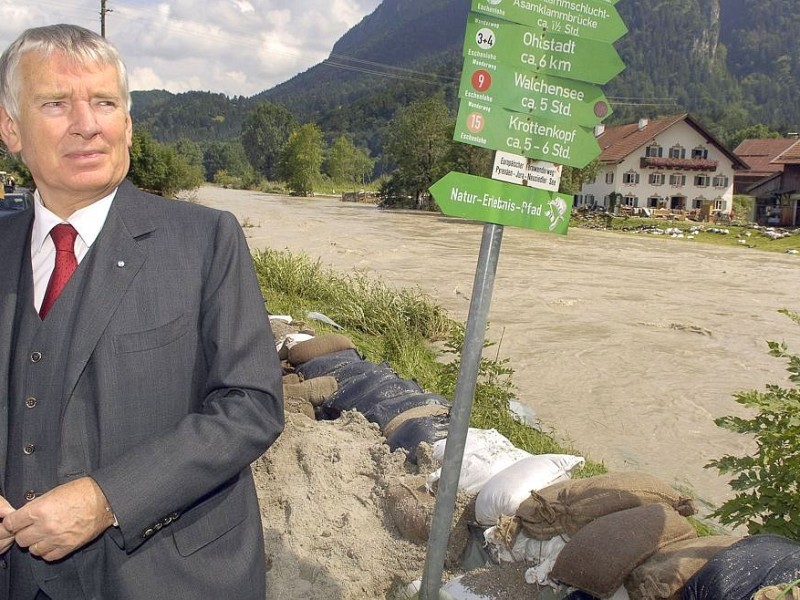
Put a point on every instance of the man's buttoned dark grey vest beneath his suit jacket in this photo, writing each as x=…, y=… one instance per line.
x=36, y=402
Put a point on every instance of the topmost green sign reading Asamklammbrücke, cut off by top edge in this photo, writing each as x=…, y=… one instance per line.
x=589, y=19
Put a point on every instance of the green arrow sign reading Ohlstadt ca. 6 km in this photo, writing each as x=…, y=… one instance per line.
x=491, y=41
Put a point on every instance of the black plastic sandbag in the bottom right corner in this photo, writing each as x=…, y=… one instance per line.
x=740, y=570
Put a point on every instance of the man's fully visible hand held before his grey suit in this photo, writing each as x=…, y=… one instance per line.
x=64, y=519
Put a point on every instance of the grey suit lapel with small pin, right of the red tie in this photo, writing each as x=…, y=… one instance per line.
x=115, y=258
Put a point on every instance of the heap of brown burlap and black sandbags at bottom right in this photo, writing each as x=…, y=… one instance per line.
x=626, y=535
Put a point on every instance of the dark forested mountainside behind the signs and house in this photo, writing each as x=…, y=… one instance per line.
x=731, y=63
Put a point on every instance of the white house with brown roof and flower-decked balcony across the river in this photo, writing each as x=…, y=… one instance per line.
x=671, y=165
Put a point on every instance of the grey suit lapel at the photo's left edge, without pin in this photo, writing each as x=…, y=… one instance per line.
x=14, y=249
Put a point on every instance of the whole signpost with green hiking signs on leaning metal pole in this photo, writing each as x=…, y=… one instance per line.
x=526, y=88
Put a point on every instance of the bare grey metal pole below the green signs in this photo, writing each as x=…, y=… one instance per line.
x=460, y=413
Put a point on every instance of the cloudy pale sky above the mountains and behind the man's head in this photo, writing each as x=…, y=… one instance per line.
x=233, y=47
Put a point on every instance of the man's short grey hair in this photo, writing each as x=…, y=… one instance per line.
x=75, y=43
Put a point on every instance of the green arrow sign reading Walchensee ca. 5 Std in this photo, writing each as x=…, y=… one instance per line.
x=540, y=95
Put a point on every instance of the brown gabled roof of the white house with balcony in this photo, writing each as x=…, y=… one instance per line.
x=619, y=142
